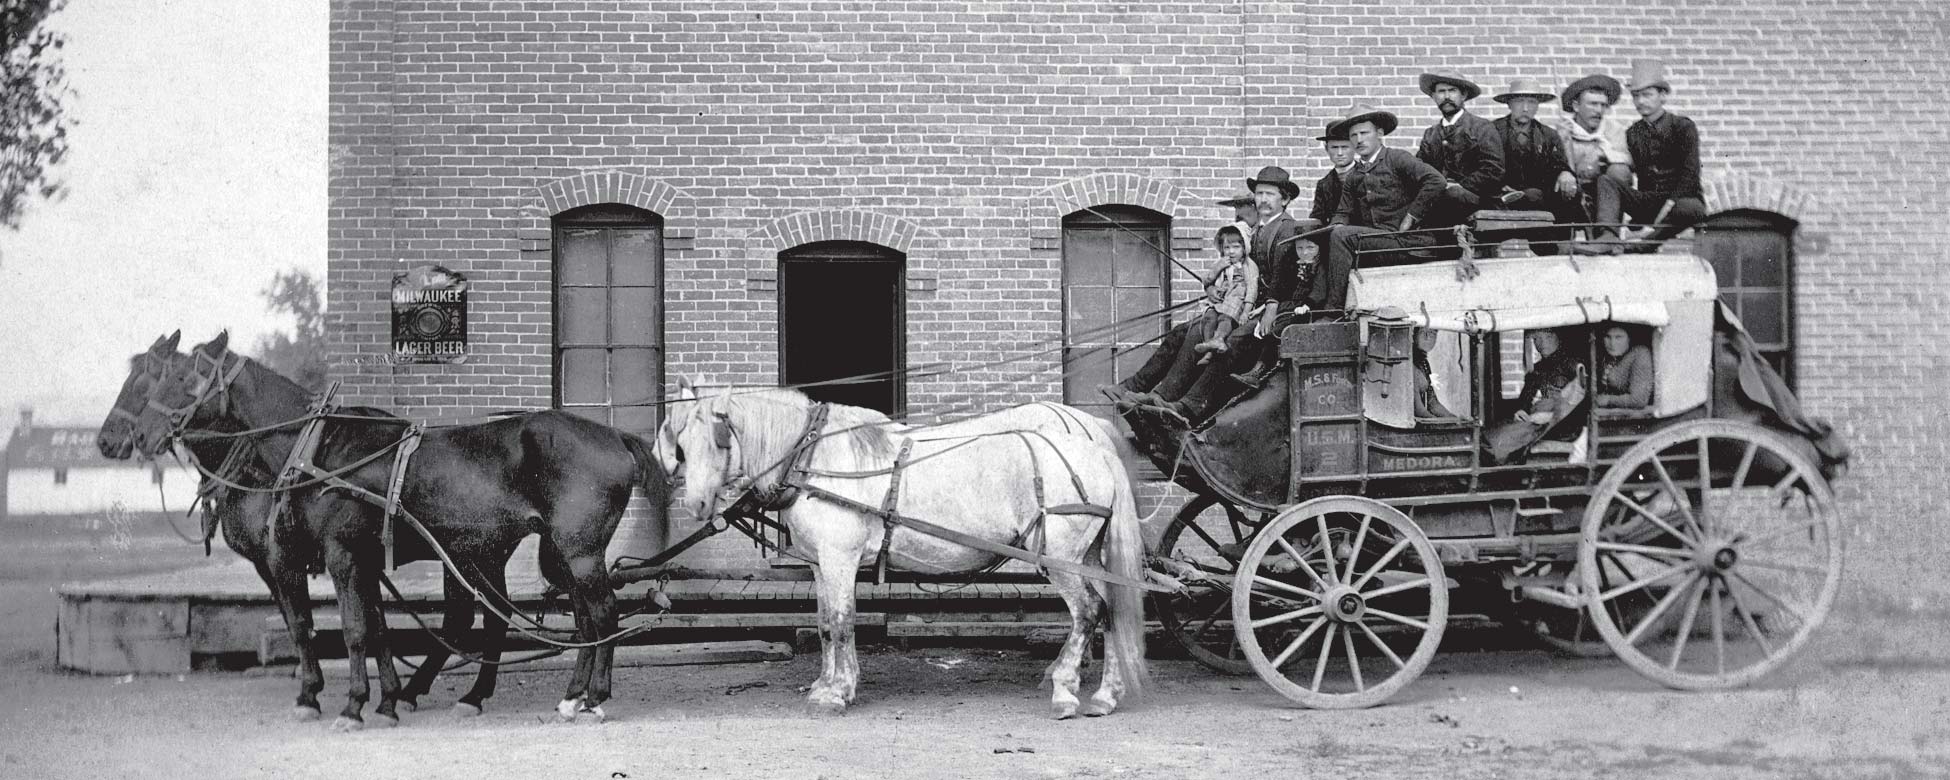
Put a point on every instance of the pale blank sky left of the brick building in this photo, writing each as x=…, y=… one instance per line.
x=196, y=173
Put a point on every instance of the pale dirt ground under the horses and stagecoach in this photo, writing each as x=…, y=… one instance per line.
x=1869, y=699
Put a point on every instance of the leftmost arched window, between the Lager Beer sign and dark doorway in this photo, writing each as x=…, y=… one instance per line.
x=609, y=315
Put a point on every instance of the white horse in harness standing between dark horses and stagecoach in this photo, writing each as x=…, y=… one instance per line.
x=1038, y=490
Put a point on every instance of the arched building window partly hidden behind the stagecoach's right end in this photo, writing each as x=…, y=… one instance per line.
x=1752, y=254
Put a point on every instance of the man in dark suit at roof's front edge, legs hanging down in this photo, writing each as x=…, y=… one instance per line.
x=1385, y=192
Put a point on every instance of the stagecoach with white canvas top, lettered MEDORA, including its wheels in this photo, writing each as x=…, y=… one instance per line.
x=1335, y=533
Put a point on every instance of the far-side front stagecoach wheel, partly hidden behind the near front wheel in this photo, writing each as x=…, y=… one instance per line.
x=1202, y=549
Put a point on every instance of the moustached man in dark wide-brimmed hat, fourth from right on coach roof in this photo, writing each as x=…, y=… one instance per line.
x=1463, y=147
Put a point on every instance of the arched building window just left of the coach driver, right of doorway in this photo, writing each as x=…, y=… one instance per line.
x=1116, y=278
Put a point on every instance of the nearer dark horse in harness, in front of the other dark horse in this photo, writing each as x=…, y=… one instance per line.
x=479, y=490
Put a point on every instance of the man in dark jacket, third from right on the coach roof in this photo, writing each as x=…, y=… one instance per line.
x=1538, y=176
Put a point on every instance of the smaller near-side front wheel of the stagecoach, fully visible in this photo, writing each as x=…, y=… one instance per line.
x=1341, y=602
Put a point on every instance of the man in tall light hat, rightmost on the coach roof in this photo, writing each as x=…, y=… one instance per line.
x=1666, y=157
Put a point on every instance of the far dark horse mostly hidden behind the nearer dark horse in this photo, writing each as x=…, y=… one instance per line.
x=243, y=516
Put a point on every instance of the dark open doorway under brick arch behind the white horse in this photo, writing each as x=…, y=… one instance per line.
x=839, y=317
